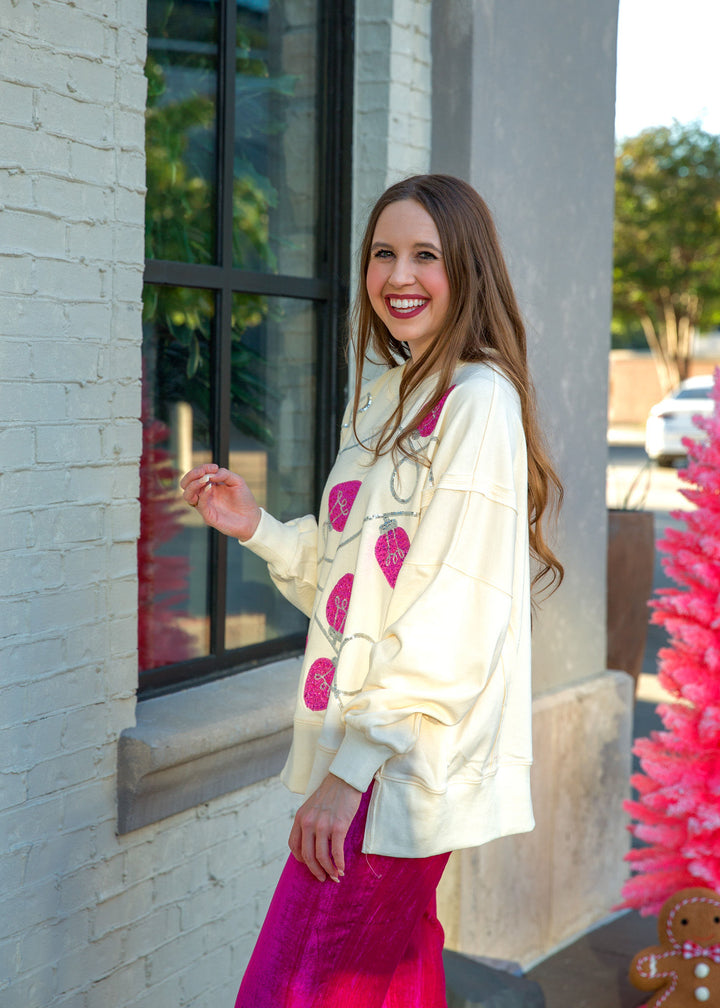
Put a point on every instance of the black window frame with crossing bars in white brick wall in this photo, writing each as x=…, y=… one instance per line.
x=328, y=290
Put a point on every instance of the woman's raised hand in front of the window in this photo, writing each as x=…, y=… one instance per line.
x=224, y=500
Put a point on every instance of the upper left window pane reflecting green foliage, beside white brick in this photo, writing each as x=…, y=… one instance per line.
x=181, y=131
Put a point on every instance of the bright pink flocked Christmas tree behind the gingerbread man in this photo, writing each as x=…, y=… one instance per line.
x=677, y=814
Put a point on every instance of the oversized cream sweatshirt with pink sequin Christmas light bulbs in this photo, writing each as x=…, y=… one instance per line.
x=417, y=673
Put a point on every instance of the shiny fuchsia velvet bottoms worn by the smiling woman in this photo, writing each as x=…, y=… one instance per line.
x=372, y=941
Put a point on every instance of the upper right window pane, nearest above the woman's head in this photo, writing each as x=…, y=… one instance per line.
x=276, y=165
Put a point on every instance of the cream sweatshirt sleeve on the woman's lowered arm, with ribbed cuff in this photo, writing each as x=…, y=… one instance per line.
x=452, y=606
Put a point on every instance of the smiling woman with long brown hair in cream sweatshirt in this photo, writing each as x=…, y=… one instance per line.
x=413, y=724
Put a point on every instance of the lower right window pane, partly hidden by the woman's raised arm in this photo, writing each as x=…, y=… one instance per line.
x=273, y=447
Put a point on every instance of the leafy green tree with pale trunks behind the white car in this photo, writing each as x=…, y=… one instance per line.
x=667, y=259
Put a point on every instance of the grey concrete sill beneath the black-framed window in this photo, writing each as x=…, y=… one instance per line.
x=192, y=746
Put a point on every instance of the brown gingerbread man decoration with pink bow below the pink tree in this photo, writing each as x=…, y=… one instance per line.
x=685, y=967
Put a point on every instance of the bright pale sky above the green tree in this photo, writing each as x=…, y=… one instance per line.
x=668, y=65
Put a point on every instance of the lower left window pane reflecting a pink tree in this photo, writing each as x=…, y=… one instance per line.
x=174, y=545
